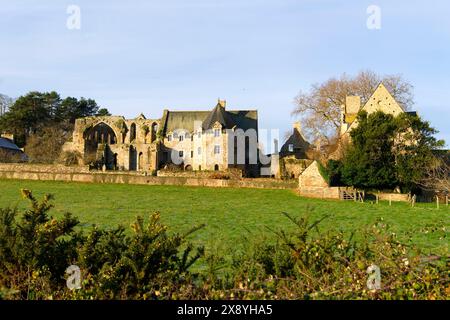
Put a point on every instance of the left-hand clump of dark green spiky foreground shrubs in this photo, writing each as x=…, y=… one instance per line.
x=36, y=250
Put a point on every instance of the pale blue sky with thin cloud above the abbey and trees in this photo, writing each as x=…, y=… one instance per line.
x=144, y=56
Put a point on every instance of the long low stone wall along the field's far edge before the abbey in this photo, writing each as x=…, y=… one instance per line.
x=111, y=177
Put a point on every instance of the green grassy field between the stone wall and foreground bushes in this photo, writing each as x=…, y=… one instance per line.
x=229, y=214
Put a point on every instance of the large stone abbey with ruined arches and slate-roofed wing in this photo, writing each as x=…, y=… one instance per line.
x=191, y=140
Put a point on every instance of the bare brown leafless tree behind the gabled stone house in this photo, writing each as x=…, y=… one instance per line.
x=319, y=109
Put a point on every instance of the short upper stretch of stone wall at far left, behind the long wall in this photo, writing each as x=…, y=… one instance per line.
x=44, y=168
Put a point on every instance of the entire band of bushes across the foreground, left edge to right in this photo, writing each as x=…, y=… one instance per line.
x=36, y=249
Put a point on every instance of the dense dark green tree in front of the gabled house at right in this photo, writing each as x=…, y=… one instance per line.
x=386, y=152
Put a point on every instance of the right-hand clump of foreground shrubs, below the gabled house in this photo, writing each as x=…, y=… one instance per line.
x=307, y=264
